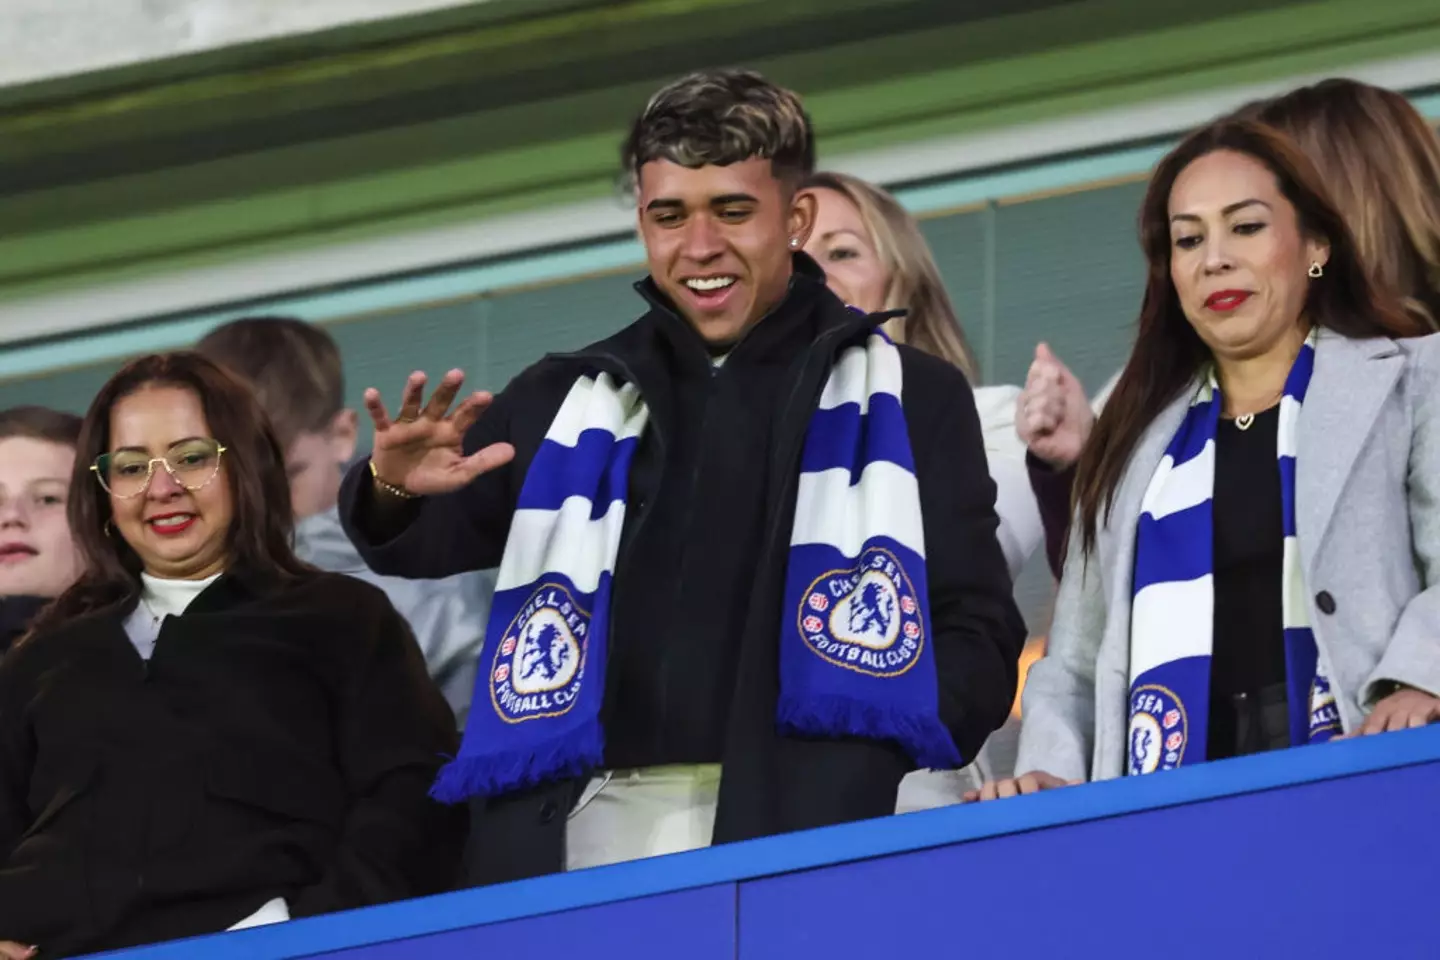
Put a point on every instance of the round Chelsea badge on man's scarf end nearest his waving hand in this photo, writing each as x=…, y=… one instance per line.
x=539, y=663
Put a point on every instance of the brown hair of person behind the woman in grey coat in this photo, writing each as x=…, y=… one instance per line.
x=1380, y=162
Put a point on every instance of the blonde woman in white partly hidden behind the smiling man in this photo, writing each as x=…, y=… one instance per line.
x=876, y=258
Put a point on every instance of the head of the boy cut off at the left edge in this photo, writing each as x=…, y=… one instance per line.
x=38, y=556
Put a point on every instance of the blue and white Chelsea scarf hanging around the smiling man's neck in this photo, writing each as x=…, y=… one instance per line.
x=856, y=656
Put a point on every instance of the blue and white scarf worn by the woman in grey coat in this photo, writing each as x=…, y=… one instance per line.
x=1174, y=594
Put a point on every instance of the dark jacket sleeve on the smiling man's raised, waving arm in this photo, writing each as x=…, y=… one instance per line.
x=449, y=535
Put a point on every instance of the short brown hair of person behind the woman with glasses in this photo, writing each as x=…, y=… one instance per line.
x=294, y=369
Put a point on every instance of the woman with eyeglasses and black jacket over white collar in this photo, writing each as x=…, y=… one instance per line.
x=204, y=733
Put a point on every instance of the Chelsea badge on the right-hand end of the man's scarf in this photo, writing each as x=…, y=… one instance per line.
x=866, y=618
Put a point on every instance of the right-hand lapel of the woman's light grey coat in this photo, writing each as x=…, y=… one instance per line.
x=1349, y=389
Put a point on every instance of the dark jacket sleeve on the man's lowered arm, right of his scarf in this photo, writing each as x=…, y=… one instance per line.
x=978, y=630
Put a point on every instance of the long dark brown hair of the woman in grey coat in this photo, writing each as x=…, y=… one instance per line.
x=1169, y=353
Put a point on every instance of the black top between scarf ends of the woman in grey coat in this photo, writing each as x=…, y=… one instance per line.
x=1249, y=540
